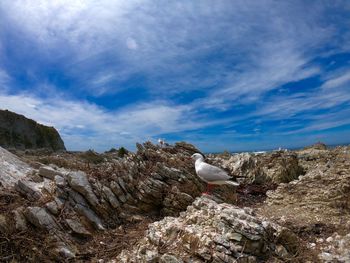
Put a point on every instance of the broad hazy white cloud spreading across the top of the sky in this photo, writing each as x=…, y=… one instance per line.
x=265, y=41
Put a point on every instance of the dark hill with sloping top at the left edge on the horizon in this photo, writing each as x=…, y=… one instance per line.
x=17, y=131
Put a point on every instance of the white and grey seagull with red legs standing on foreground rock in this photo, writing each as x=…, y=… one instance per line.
x=210, y=174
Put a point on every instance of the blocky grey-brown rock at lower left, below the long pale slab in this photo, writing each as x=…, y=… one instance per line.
x=39, y=217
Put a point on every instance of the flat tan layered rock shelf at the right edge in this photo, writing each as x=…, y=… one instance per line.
x=315, y=198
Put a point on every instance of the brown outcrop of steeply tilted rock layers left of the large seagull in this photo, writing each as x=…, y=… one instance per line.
x=76, y=204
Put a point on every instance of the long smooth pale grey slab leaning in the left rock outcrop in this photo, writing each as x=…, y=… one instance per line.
x=79, y=182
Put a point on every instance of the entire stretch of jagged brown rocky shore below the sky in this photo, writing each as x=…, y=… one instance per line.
x=90, y=215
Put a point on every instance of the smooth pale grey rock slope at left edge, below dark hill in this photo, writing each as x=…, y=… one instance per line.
x=12, y=169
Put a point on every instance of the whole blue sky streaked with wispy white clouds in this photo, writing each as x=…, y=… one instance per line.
x=223, y=75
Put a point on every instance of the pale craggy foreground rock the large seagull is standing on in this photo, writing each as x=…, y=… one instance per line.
x=213, y=232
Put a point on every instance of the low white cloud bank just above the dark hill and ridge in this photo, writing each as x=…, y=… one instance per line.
x=87, y=125
